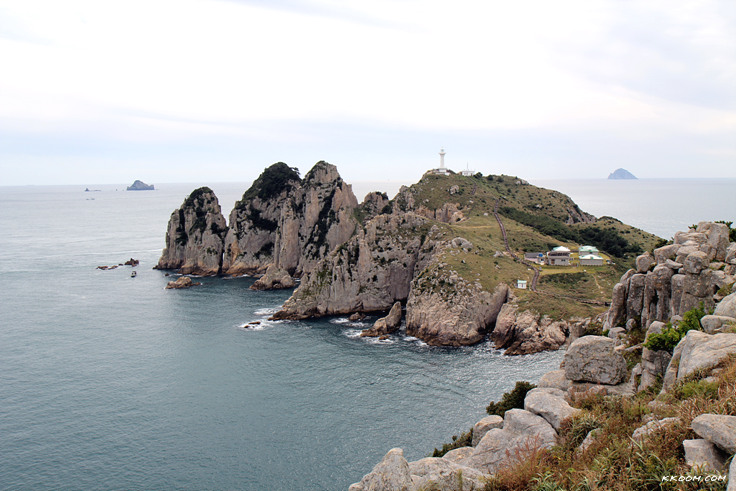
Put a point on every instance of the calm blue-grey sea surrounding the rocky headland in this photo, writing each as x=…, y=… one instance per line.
x=108, y=381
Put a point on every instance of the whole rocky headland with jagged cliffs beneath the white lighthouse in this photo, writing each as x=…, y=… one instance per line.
x=364, y=258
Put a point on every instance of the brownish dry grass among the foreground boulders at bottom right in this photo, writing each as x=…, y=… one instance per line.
x=614, y=462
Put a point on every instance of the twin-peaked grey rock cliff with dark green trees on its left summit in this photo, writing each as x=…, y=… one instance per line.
x=289, y=222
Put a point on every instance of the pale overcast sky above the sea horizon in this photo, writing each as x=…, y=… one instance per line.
x=96, y=91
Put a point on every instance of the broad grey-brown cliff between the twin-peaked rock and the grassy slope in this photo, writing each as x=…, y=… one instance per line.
x=397, y=258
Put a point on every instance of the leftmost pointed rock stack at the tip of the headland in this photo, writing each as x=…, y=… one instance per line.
x=195, y=236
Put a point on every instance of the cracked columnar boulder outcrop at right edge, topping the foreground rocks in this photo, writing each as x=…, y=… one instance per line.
x=685, y=274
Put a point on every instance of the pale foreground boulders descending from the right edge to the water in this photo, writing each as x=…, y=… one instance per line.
x=596, y=366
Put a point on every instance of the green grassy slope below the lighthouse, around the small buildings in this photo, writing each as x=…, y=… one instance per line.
x=536, y=220
